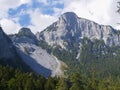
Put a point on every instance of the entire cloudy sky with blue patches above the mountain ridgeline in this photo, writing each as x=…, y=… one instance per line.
x=39, y=14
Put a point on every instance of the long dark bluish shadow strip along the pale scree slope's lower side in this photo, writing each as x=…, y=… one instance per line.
x=34, y=65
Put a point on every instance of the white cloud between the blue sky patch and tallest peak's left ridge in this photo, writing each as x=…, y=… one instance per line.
x=40, y=21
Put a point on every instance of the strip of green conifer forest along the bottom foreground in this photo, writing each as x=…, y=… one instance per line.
x=14, y=79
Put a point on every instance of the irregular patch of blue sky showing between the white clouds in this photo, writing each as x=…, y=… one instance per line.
x=24, y=18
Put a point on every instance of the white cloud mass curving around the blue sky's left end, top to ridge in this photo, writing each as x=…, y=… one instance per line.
x=10, y=25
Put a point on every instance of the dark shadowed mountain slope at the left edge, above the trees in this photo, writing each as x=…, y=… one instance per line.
x=9, y=55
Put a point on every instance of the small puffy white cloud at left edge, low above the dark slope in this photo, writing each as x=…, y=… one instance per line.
x=9, y=26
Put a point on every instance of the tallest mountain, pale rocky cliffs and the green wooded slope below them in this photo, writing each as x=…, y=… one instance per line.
x=83, y=44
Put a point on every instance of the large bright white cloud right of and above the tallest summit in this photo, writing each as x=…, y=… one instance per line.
x=100, y=11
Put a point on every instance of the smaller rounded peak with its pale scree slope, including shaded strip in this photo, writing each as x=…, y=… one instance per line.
x=34, y=56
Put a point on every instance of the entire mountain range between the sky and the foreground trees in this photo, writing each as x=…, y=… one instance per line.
x=79, y=44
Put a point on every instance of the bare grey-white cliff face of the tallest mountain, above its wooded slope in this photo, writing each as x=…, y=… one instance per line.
x=71, y=28
